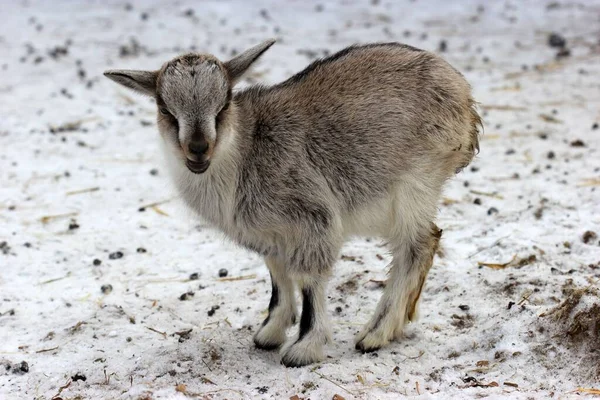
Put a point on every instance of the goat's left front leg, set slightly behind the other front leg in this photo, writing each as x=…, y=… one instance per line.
x=282, y=308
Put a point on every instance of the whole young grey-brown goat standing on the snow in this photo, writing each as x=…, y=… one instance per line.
x=359, y=143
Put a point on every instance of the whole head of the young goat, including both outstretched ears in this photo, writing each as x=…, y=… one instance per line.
x=193, y=94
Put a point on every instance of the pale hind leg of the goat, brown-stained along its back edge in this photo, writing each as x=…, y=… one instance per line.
x=412, y=259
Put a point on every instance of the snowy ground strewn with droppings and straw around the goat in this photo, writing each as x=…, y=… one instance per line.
x=80, y=170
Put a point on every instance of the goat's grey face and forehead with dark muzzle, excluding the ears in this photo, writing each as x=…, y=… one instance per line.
x=192, y=96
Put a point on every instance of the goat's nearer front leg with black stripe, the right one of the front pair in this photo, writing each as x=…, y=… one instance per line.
x=314, y=332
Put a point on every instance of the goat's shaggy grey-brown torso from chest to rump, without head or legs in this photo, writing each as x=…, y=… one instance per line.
x=334, y=145
